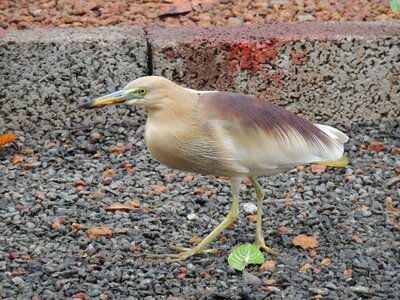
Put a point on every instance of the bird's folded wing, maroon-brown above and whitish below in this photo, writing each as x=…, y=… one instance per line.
x=263, y=136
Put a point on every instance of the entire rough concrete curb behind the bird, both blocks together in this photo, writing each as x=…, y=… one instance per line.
x=339, y=72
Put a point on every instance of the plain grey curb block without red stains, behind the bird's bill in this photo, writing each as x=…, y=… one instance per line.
x=46, y=73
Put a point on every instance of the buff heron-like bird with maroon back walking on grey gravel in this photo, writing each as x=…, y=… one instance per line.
x=225, y=134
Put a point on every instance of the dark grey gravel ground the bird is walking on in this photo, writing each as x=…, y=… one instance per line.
x=60, y=182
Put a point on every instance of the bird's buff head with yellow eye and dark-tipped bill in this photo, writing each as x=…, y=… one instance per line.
x=147, y=92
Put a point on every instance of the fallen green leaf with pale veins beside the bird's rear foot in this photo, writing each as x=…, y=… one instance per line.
x=244, y=255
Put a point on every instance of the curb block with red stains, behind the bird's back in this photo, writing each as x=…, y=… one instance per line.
x=340, y=72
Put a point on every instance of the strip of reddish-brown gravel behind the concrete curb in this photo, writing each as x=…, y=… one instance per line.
x=24, y=14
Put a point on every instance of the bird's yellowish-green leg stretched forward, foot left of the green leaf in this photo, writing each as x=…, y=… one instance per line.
x=229, y=219
